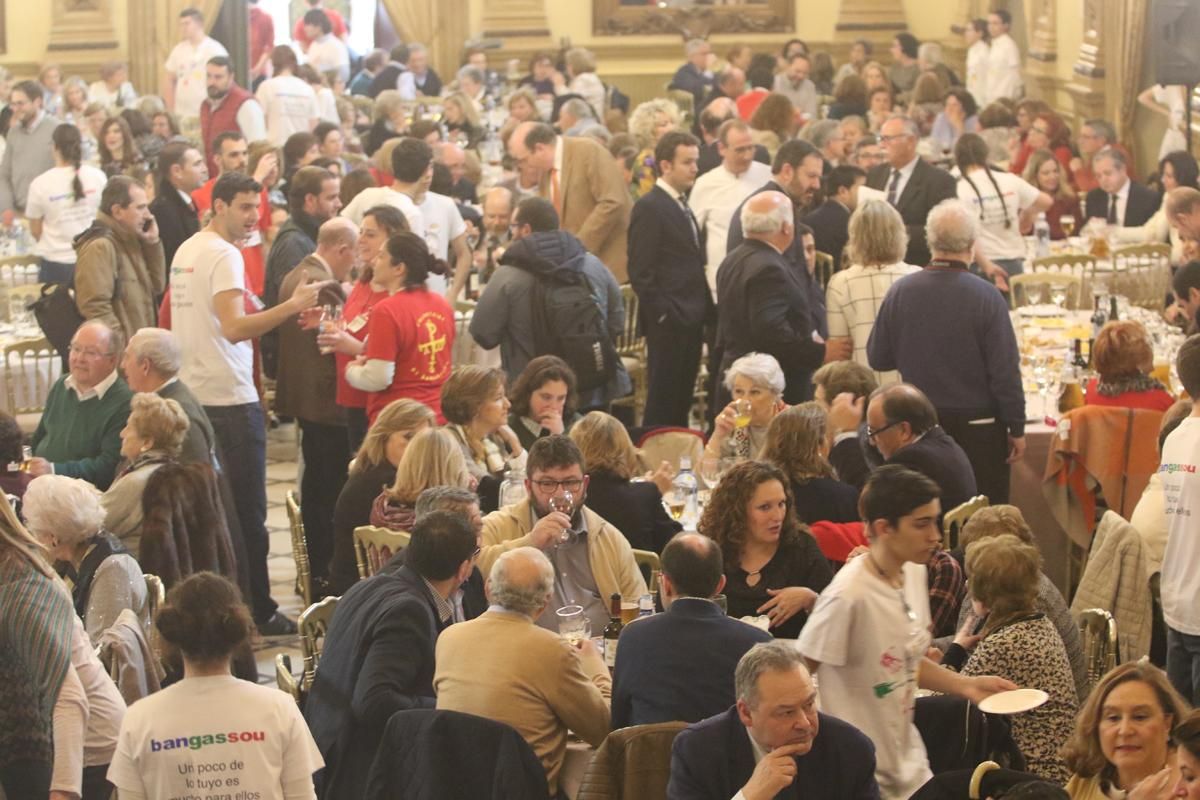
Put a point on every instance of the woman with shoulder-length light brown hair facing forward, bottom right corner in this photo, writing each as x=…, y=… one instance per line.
x=1121, y=743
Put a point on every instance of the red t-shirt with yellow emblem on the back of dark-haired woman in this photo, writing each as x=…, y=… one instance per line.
x=413, y=329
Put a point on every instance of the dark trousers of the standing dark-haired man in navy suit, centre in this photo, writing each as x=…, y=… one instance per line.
x=673, y=362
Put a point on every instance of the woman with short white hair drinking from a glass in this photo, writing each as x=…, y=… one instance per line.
x=757, y=384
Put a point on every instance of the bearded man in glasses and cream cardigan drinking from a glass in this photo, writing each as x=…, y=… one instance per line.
x=592, y=560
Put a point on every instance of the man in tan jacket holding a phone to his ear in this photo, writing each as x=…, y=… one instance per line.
x=121, y=272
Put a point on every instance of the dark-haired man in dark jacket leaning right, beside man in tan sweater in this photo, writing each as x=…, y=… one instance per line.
x=379, y=654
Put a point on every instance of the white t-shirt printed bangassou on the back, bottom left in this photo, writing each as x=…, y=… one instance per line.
x=215, y=737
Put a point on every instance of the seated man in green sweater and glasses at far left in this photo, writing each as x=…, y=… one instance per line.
x=80, y=434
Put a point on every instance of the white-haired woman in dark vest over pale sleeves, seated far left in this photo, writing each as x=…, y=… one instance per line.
x=65, y=514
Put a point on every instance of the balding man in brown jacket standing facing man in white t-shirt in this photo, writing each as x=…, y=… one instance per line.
x=305, y=389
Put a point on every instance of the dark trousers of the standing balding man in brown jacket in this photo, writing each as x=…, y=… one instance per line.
x=327, y=454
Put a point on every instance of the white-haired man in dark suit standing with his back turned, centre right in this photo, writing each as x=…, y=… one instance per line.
x=765, y=306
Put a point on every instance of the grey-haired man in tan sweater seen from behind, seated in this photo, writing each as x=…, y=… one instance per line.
x=503, y=667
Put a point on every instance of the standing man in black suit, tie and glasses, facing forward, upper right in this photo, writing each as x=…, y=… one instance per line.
x=913, y=185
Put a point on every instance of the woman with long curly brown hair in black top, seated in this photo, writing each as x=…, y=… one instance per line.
x=773, y=566
